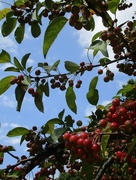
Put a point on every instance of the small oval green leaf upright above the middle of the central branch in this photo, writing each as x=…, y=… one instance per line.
x=71, y=66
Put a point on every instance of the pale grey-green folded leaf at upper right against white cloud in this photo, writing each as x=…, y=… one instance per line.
x=100, y=46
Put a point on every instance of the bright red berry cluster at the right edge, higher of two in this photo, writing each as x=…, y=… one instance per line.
x=121, y=117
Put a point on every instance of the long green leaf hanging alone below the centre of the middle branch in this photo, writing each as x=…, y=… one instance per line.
x=70, y=99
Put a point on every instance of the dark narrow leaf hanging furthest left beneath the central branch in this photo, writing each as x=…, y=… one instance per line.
x=19, y=93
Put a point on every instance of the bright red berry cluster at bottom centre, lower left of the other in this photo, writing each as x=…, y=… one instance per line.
x=82, y=147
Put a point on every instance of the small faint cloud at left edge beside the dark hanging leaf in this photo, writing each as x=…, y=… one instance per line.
x=6, y=101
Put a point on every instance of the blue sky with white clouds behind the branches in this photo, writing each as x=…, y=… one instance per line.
x=70, y=45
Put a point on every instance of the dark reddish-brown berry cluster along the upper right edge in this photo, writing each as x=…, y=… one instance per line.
x=123, y=45
